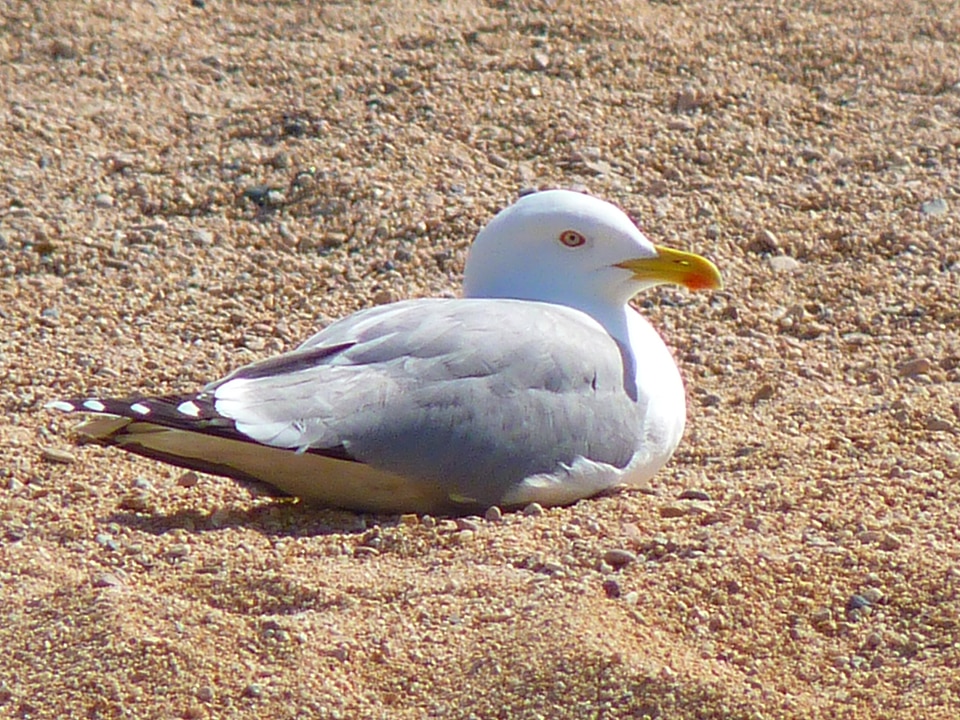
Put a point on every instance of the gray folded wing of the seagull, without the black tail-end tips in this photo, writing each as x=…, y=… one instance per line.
x=474, y=395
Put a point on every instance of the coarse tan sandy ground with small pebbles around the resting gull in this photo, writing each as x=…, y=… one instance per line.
x=186, y=189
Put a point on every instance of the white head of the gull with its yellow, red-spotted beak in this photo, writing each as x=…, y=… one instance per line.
x=572, y=249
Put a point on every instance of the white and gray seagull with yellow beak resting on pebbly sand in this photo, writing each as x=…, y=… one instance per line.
x=541, y=384
